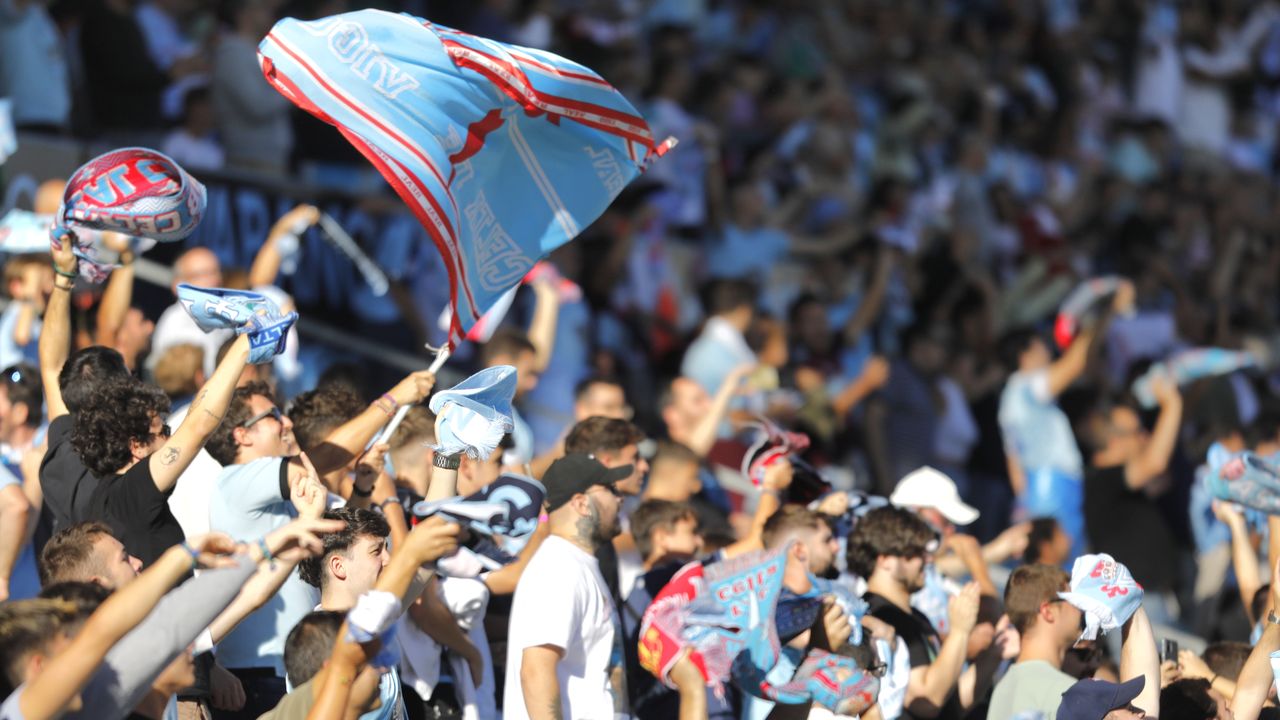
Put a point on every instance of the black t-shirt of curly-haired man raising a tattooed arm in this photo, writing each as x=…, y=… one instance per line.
x=138, y=513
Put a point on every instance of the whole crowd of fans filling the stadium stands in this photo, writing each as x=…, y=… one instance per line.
x=856, y=253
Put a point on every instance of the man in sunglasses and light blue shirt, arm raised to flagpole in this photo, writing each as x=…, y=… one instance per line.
x=260, y=467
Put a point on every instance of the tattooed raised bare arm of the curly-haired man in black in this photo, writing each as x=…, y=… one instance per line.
x=207, y=412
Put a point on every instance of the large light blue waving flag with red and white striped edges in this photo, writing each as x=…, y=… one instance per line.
x=502, y=153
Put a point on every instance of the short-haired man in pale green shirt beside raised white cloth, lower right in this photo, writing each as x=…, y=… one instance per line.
x=1049, y=627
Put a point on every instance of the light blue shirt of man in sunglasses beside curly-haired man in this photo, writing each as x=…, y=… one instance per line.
x=248, y=505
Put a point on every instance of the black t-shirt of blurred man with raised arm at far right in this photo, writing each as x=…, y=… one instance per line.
x=1130, y=527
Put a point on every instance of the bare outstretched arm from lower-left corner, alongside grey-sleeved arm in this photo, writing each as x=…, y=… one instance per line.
x=49, y=695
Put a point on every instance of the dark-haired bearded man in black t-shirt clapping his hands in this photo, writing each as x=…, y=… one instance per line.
x=892, y=548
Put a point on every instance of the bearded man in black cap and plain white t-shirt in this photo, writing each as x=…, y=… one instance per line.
x=563, y=619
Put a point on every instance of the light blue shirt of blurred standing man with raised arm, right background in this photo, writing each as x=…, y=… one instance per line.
x=1035, y=427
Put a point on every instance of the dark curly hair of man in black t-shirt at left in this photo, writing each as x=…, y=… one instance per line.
x=116, y=414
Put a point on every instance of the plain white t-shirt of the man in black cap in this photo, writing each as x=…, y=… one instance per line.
x=563, y=600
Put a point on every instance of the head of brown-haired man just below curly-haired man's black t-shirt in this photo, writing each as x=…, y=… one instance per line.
x=88, y=553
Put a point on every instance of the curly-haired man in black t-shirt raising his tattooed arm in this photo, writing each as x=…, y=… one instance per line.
x=122, y=438
